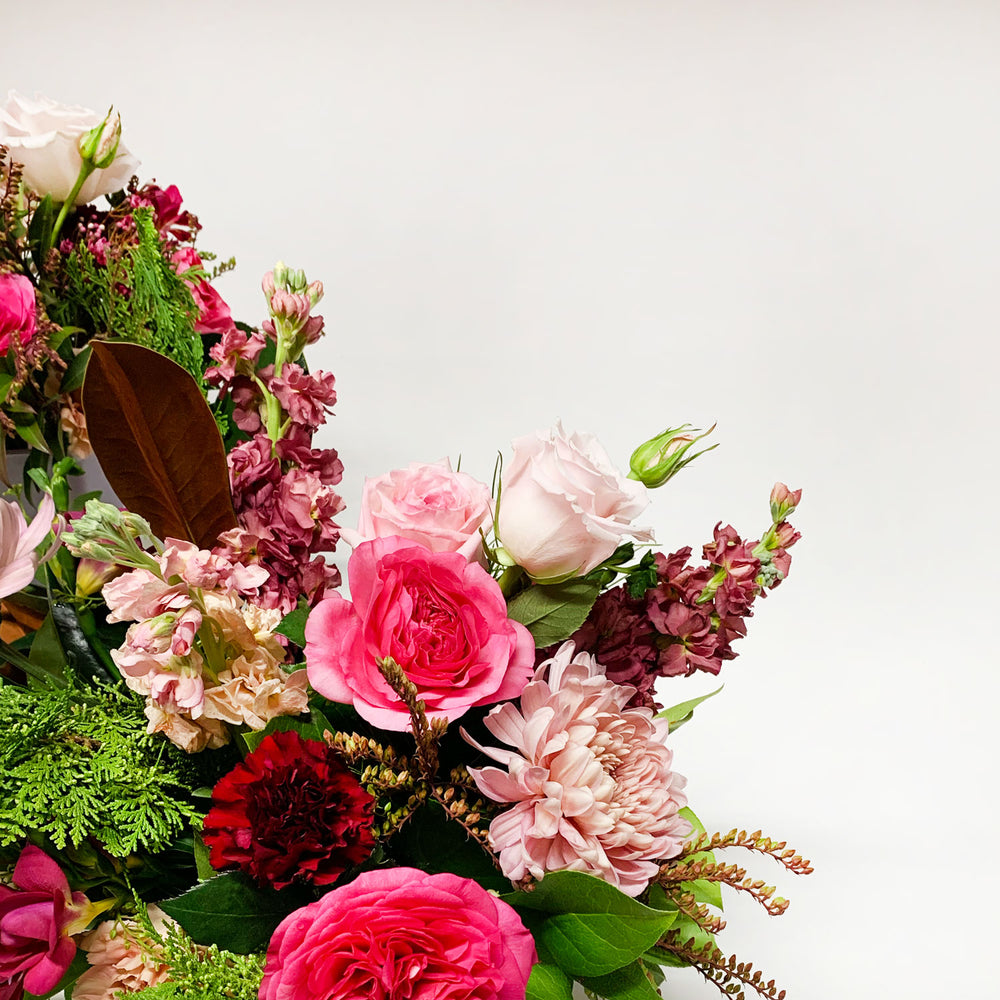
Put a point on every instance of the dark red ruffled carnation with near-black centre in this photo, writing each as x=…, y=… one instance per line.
x=291, y=812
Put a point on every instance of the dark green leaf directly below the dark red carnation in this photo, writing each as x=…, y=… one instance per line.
x=231, y=912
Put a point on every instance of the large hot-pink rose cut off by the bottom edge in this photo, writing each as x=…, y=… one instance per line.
x=399, y=932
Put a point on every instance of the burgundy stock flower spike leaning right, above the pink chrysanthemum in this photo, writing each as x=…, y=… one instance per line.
x=690, y=618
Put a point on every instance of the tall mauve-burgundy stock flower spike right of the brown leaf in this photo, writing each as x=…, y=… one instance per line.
x=283, y=488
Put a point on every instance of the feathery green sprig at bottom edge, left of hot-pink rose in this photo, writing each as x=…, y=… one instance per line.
x=204, y=973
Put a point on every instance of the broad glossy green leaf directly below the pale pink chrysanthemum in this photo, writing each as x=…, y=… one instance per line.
x=591, y=928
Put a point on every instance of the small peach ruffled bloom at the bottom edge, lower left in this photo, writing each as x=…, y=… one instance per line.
x=123, y=959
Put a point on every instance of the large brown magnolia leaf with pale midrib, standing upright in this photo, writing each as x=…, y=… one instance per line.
x=157, y=442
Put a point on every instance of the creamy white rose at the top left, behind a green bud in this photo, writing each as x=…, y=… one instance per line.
x=43, y=136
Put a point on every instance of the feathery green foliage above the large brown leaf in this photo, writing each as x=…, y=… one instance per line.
x=135, y=295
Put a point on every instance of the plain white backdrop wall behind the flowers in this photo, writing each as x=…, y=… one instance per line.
x=781, y=216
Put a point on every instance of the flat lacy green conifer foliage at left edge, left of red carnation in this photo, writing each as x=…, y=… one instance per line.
x=78, y=764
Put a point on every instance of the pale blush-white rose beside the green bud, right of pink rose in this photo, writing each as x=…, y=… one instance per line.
x=564, y=508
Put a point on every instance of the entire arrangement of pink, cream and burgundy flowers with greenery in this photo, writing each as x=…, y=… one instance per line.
x=221, y=775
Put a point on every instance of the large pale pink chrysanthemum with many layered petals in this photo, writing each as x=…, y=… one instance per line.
x=590, y=780
